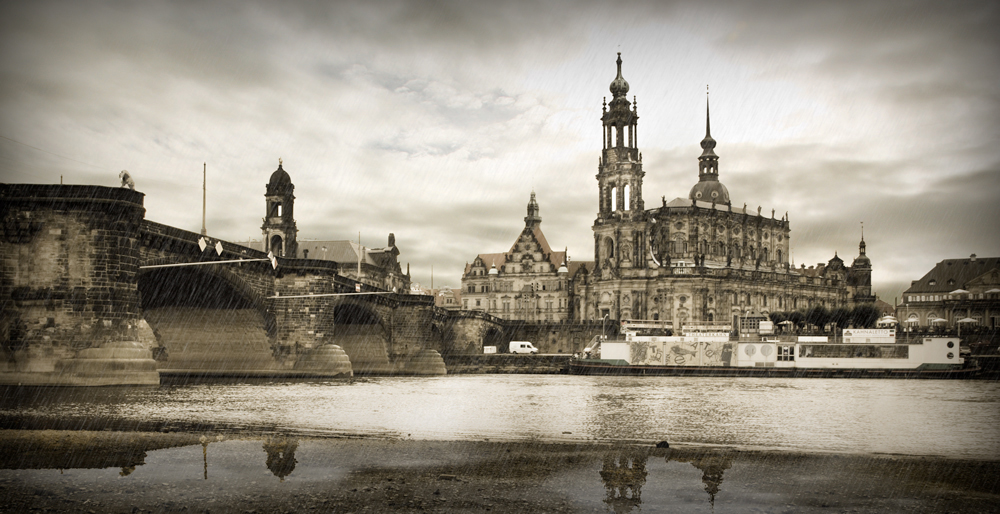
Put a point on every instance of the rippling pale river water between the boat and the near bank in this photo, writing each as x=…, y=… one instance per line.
x=912, y=417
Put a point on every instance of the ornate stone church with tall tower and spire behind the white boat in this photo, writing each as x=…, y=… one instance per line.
x=698, y=259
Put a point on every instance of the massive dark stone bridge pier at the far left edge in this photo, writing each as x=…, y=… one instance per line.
x=70, y=312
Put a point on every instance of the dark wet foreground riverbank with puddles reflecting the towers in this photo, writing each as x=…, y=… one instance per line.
x=85, y=471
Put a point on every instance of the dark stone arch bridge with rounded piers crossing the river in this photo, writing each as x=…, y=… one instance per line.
x=86, y=294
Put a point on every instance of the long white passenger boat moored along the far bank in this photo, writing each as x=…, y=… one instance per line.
x=712, y=351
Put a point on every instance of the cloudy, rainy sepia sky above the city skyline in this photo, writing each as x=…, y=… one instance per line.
x=436, y=120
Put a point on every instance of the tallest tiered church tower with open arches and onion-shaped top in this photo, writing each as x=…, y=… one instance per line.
x=618, y=231
